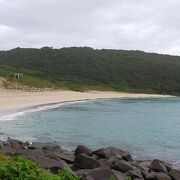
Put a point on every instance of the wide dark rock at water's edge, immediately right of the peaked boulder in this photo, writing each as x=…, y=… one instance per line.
x=112, y=151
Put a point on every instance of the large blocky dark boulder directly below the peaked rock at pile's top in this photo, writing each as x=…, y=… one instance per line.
x=83, y=161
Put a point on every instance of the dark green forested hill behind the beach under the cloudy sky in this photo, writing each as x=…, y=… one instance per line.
x=86, y=67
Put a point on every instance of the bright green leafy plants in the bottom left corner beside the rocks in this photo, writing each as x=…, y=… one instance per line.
x=20, y=168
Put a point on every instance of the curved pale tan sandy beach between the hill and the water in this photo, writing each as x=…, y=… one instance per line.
x=15, y=100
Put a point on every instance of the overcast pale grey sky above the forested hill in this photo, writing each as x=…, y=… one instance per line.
x=149, y=25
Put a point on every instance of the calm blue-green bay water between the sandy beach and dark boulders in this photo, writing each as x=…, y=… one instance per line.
x=148, y=128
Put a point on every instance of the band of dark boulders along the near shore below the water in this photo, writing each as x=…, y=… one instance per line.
x=103, y=164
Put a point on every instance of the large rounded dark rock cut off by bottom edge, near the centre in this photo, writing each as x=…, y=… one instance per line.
x=101, y=174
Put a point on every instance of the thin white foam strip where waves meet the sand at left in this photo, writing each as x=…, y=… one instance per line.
x=13, y=116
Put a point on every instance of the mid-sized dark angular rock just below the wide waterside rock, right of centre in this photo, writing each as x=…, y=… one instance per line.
x=122, y=166
